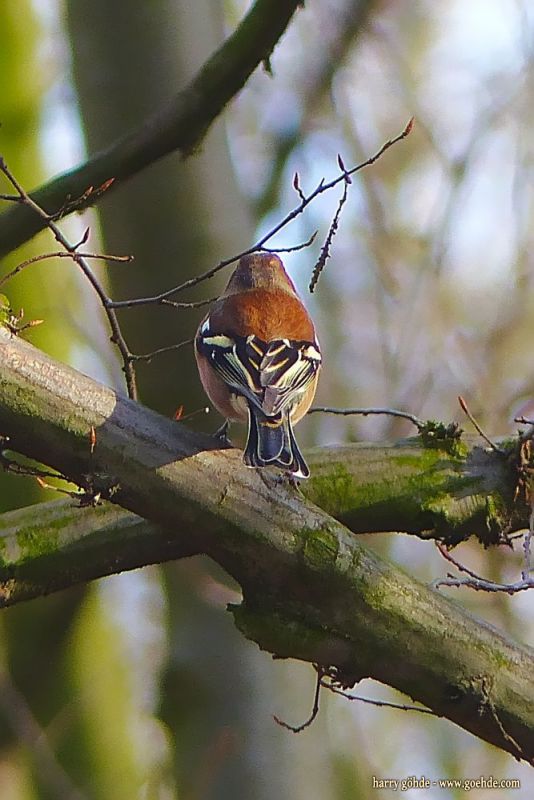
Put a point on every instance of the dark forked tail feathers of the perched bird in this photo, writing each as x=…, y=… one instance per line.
x=271, y=442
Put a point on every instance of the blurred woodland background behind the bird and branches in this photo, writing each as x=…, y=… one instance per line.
x=138, y=686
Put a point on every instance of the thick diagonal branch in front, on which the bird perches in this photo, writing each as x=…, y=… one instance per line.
x=311, y=591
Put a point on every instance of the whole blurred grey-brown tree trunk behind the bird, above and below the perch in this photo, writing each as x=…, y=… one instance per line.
x=180, y=218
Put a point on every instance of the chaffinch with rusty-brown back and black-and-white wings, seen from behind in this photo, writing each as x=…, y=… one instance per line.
x=259, y=360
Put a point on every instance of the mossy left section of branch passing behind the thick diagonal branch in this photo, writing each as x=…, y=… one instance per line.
x=70, y=544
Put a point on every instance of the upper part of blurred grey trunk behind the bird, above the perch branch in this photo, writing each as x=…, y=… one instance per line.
x=178, y=217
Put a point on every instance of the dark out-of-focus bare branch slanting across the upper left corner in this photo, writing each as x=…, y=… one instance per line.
x=180, y=126
